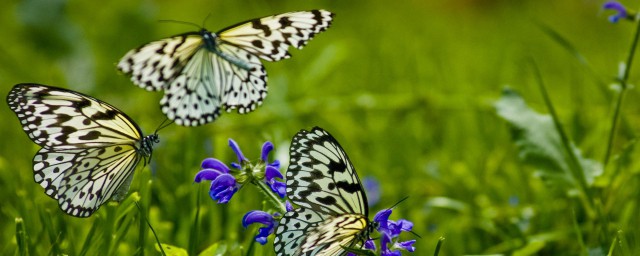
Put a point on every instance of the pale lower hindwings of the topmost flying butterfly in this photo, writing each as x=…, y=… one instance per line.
x=210, y=82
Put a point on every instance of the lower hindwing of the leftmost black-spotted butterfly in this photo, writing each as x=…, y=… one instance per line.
x=84, y=179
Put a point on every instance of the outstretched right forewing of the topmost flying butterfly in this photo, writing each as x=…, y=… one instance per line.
x=270, y=37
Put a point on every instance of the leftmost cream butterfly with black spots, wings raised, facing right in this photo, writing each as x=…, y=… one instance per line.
x=89, y=148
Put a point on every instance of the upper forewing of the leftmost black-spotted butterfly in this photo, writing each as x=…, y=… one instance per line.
x=66, y=119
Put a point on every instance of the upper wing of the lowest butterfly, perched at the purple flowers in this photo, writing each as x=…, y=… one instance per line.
x=321, y=177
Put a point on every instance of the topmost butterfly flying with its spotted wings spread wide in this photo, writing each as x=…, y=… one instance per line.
x=202, y=72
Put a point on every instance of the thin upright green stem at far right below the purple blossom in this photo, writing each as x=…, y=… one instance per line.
x=623, y=88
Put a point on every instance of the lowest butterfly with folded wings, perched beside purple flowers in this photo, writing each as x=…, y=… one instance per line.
x=332, y=206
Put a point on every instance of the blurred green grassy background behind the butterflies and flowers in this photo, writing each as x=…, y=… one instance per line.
x=407, y=88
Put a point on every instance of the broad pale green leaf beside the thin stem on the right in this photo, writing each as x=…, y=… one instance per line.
x=539, y=142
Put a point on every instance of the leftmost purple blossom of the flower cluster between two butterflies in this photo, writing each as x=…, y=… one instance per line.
x=223, y=184
